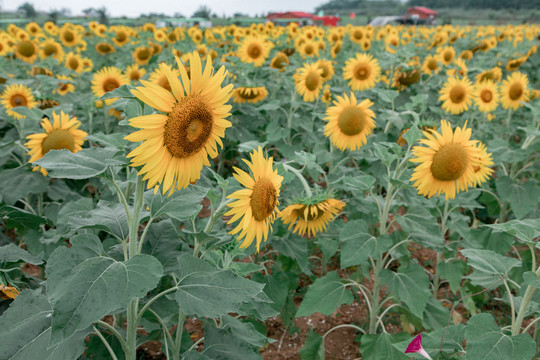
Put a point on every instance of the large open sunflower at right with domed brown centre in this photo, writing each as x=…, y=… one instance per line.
x=447, y=164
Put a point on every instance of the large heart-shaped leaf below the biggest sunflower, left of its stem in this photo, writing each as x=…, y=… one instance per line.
x=84, y=285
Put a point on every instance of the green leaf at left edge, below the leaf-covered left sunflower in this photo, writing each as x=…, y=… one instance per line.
x=19, y=183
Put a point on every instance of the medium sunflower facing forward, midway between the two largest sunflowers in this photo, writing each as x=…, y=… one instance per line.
x=349, y=122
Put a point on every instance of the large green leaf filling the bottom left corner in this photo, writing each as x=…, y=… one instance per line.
x=26, y=331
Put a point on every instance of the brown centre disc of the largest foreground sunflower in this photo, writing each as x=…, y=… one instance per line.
x=188, y=127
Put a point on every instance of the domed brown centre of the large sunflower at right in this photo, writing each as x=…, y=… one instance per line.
x=450, y=162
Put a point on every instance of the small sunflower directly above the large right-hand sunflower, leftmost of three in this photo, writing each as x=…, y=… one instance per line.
x=457, y=95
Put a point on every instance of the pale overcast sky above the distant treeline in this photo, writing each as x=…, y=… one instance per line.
x=133, y=8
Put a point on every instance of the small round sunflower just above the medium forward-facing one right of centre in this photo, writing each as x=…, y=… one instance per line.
x=362, y=71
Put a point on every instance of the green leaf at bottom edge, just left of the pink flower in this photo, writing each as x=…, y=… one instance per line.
x=380, y=346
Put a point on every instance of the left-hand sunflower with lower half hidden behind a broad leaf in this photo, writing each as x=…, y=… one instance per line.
x=63, y=133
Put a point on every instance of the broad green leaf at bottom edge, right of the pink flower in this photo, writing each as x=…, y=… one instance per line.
x=486, y=341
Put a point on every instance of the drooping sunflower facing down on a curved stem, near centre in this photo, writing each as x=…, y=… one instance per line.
x=311, y=216
